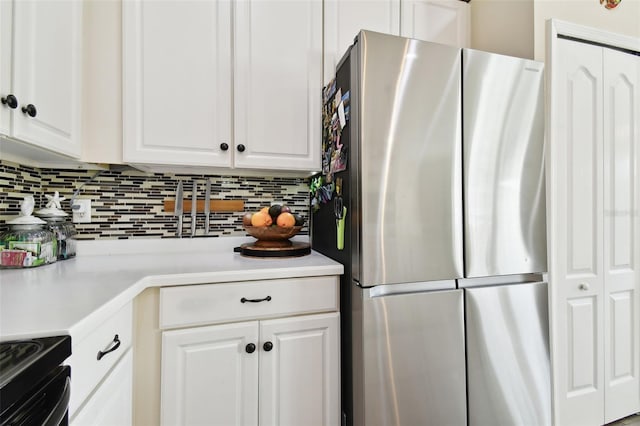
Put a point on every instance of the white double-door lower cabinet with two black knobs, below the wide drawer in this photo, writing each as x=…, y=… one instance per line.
x=272, y=372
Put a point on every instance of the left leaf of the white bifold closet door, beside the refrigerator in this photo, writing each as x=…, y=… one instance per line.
x=575, y=232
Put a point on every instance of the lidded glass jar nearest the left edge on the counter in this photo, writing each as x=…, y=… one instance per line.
x=27, y=242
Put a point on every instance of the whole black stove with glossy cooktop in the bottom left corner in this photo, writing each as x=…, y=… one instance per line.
x=34, y=386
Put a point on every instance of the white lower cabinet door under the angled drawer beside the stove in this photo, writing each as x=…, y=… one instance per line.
x=111, y=404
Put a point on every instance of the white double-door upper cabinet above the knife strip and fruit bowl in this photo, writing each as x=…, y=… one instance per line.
x=223, y=83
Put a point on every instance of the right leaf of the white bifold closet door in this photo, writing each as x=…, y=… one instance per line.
x=621, y=233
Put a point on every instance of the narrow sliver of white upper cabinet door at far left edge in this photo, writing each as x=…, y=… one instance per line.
x=6, y=49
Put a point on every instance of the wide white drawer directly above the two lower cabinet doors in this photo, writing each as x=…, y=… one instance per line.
x=211, y=303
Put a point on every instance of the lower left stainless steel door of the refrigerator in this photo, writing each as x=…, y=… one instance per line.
x=412, y=369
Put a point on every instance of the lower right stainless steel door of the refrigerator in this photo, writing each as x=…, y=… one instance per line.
x=508, y=355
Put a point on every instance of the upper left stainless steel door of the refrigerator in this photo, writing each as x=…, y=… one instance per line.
x=408, y=137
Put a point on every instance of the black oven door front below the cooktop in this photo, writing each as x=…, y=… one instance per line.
x=46, y=404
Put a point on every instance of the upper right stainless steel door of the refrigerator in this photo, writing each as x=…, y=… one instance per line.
x=504, y=186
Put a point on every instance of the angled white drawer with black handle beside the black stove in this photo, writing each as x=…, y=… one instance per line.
x=86, y=370
